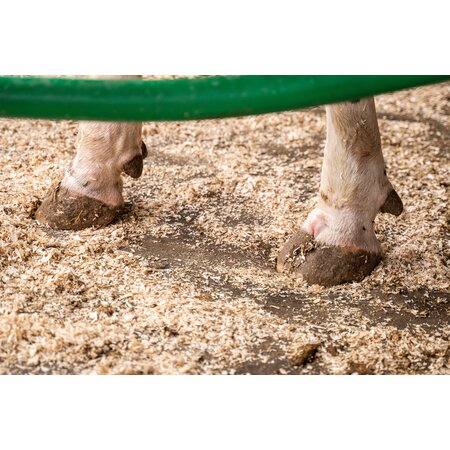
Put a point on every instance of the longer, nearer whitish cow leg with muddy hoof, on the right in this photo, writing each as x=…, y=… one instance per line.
x=337, y=243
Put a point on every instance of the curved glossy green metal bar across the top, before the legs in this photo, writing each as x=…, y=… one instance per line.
x=188, y=99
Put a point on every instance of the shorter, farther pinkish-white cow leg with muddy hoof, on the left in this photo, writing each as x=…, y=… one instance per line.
x=90, y=193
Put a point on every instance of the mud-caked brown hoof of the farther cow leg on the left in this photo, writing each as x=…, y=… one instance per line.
x=63, y=210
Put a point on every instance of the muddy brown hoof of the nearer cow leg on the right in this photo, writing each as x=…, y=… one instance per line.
x=324, y=265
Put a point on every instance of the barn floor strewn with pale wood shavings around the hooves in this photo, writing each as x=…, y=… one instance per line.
x=184, y=282
